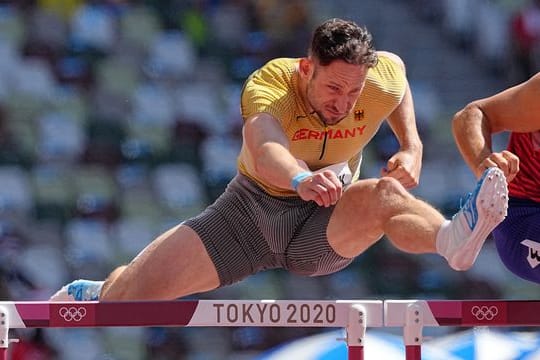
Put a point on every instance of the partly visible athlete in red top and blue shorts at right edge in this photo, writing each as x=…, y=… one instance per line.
x=516, y=109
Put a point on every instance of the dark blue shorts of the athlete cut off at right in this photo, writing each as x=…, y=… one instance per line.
x=518, y=239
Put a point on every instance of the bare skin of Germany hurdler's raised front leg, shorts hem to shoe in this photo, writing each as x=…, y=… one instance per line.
x=374, y=207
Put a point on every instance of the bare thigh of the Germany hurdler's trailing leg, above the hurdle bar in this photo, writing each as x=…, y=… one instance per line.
x=175, y=264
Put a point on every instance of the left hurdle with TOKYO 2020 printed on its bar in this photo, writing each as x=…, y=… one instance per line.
x=352, y=315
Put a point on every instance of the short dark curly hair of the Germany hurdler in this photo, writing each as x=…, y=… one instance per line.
x=338, y=39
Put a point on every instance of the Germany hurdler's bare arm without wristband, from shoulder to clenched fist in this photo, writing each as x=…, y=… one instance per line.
x=406, y=164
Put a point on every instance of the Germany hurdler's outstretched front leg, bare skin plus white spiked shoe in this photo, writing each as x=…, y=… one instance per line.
x=383, y=206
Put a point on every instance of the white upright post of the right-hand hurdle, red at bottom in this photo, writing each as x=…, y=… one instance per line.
x=412, y=332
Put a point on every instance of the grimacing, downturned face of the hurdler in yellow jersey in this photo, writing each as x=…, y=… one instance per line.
x=332, y=90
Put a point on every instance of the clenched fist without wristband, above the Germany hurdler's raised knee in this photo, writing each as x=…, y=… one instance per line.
x=404, y=166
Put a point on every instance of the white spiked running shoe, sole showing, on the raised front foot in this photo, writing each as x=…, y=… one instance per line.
x=483, y=210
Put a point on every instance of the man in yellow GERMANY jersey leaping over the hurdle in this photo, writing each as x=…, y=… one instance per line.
x=296, y=202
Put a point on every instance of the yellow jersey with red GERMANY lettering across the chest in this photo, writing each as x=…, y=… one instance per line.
x=274, y=89
